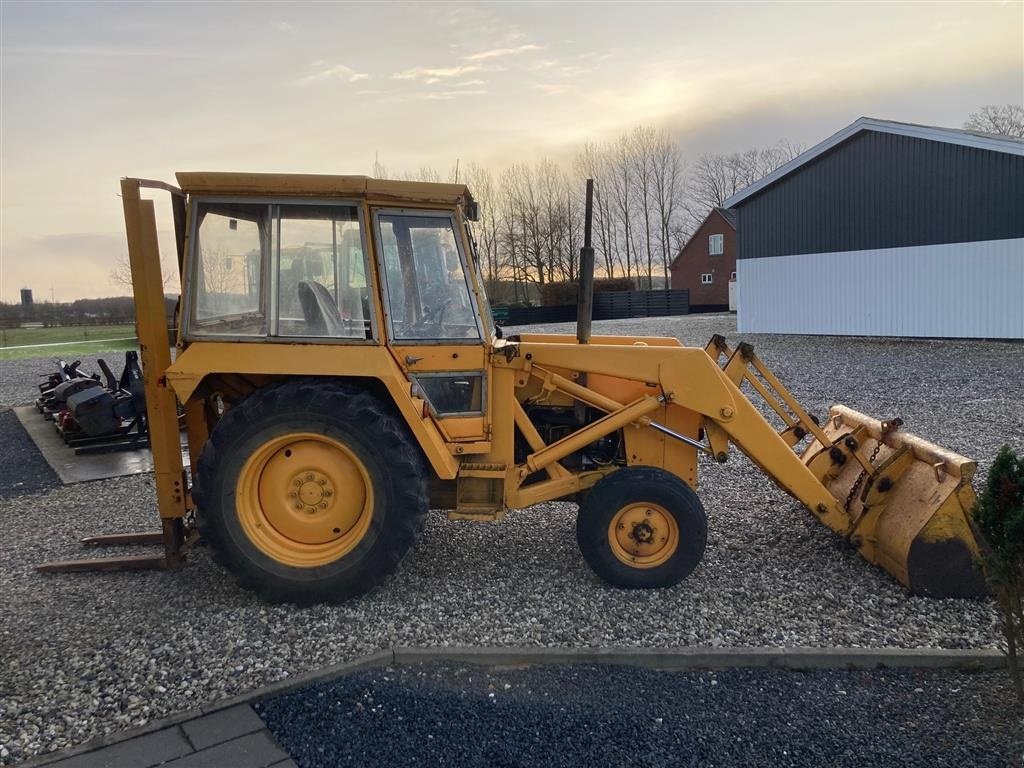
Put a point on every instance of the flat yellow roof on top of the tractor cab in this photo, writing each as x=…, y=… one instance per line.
x=321, y=186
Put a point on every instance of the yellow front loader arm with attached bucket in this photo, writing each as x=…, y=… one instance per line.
x=901, y=501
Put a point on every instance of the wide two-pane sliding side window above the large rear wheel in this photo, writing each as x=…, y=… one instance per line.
x=282, y=271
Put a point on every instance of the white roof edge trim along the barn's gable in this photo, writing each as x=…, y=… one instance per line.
x=977, y=140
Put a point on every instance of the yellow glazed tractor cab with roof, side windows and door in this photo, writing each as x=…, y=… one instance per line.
x=269, y=266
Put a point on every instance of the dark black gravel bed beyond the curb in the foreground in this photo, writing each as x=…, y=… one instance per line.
x=446, y=715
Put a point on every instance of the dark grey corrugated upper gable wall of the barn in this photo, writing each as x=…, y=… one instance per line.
x=885, y=191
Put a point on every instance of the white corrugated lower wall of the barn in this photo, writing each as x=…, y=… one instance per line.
x=964, y=290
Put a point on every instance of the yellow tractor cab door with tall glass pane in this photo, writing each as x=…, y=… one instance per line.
x=433, y=321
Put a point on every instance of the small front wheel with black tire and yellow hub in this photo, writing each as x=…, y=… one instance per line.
x=643, y=528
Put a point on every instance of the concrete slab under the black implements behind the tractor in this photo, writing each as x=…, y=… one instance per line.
x=71, y=468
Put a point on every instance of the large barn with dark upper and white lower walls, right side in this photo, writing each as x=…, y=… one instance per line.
x=887, y=230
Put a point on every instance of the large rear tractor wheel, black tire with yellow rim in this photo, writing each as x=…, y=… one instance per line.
x=311, y=491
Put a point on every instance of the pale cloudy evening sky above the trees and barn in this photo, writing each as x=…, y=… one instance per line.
x=91, y=93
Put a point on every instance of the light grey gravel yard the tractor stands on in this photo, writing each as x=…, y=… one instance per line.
x=87, y=655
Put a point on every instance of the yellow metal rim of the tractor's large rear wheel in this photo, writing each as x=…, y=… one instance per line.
x=305, y=500
